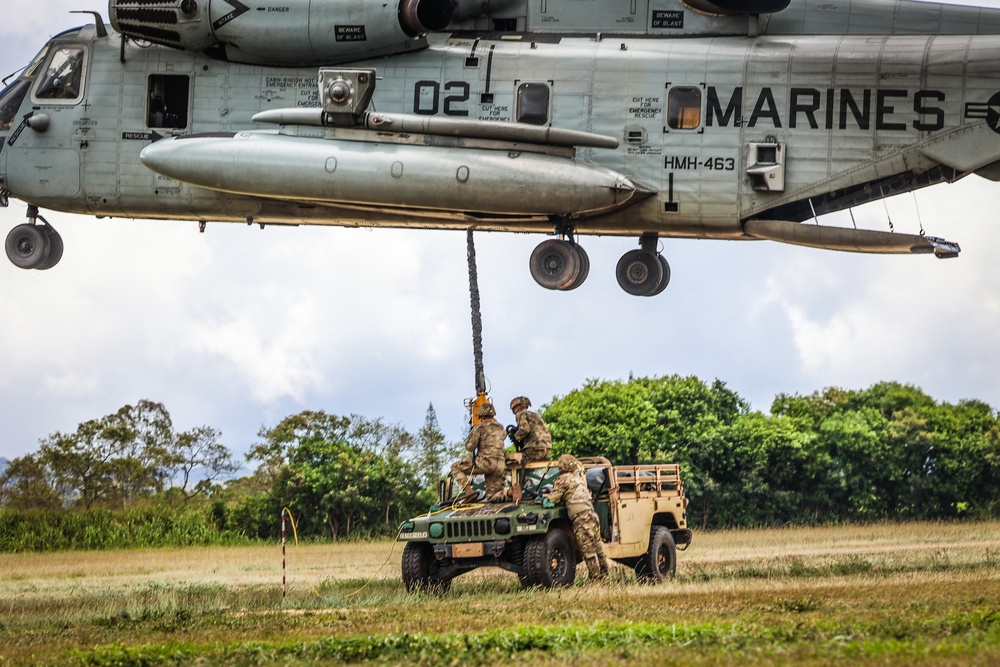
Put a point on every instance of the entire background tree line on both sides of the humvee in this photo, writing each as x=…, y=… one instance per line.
x=888, y=452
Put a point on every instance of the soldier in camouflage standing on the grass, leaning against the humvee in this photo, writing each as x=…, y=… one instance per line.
x=571, y=487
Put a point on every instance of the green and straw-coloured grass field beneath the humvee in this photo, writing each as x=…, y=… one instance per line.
x=922, y=593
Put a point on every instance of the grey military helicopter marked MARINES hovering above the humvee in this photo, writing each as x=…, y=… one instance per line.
x=656, y=119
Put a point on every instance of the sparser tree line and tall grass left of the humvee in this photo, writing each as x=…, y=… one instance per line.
x=129, y=477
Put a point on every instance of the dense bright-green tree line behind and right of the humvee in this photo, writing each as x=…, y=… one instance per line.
x=889, y=452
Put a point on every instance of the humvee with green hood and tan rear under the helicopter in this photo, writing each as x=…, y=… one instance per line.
x=642, y=510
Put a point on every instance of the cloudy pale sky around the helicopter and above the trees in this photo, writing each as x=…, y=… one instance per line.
x=240, y=327
